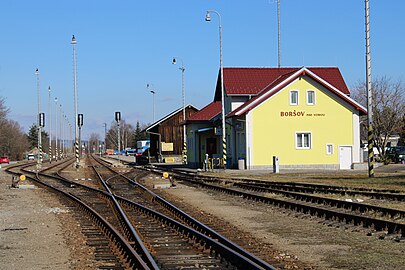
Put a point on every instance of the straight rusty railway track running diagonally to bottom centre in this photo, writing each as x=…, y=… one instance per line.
x=150, y=206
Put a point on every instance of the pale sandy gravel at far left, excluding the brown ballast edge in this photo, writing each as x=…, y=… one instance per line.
x=30, y=230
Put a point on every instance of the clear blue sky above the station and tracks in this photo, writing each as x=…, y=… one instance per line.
x=124, y=45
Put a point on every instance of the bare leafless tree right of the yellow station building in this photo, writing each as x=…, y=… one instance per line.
x=388, y=109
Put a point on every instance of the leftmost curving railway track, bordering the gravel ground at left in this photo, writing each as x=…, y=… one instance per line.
x=112, y=251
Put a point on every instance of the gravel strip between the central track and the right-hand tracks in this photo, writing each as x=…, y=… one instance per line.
x=299, y=236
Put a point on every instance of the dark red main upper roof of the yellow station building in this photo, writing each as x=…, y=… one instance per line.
x=250, y=81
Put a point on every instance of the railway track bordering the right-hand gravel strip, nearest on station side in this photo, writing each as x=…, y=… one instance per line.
x=374, y=219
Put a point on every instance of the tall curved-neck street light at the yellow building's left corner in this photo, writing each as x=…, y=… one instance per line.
x=208, y=19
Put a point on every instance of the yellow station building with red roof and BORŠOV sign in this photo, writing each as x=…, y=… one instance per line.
x=298, y=117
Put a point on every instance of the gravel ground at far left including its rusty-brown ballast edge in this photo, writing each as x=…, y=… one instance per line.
x=38, y=232
